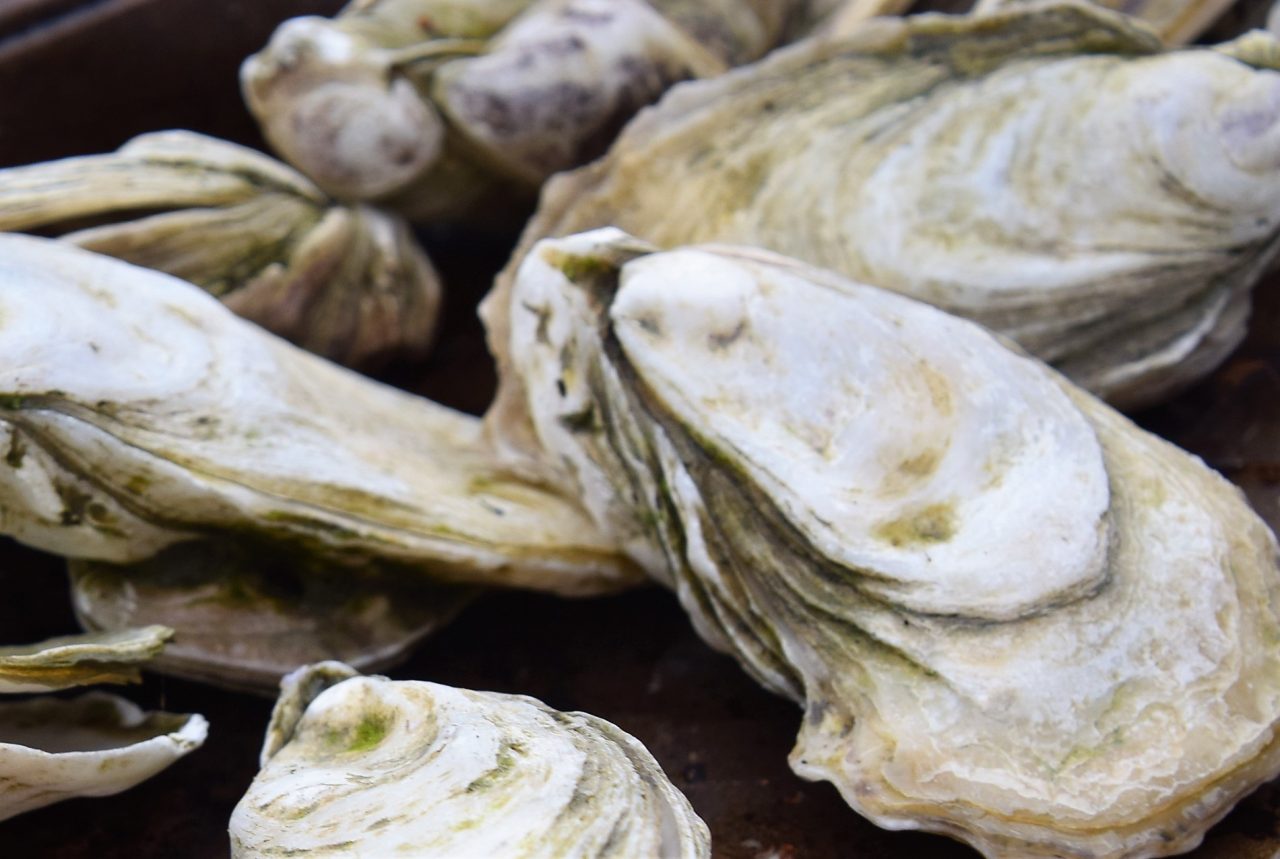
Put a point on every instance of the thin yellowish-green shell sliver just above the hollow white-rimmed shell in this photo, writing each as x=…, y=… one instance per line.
x=80, y=660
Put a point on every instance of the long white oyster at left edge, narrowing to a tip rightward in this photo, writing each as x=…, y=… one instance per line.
x=138, y=413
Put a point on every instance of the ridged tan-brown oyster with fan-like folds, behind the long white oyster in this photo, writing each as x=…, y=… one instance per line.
x=348, y=282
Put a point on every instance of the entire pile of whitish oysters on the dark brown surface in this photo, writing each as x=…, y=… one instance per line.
x=824, y=341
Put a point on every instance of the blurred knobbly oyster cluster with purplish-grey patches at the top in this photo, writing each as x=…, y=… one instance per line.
x=445, y=109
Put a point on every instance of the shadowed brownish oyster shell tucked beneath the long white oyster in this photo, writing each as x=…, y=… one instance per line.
x=248, y=614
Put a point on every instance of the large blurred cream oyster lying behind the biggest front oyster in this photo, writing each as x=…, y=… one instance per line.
x=1048, y=172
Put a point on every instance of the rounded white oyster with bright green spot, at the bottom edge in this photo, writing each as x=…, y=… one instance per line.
x=365, y=766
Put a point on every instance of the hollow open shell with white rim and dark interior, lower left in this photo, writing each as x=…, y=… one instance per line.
x=94, y=746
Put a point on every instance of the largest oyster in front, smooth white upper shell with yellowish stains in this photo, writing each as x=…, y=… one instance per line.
x=1012, y=616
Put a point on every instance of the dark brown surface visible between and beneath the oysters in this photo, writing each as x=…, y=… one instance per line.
x=89, y=81
